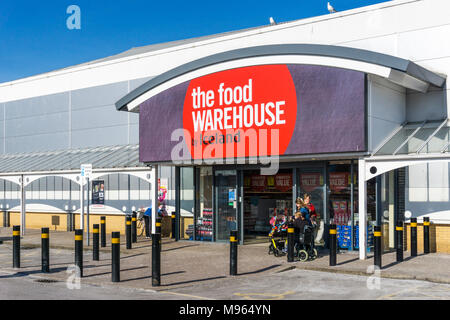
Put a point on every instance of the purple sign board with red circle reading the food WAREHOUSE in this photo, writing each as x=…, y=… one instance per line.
x=256, y=111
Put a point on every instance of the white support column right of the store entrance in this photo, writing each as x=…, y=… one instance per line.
x=362, y=203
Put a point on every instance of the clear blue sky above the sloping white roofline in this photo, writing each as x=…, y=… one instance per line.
x=34, y=37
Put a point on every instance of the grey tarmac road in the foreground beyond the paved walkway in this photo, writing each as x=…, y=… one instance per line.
x=289, y=285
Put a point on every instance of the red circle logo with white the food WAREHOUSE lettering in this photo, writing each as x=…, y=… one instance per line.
x=244, y=112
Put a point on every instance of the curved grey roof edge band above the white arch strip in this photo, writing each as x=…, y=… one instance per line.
x=372, y=57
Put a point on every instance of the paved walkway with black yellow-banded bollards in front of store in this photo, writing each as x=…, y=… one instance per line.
x=187, y=263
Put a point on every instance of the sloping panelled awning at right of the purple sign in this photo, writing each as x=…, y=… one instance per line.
x=417, y=138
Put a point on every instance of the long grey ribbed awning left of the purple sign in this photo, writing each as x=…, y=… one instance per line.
x=107, y=157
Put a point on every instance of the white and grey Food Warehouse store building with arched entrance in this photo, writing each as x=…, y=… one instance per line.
x=350, y=107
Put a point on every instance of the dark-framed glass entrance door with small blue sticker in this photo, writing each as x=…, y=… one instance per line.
x=226, y=203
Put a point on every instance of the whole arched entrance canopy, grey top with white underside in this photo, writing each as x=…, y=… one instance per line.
x=397, y=70
